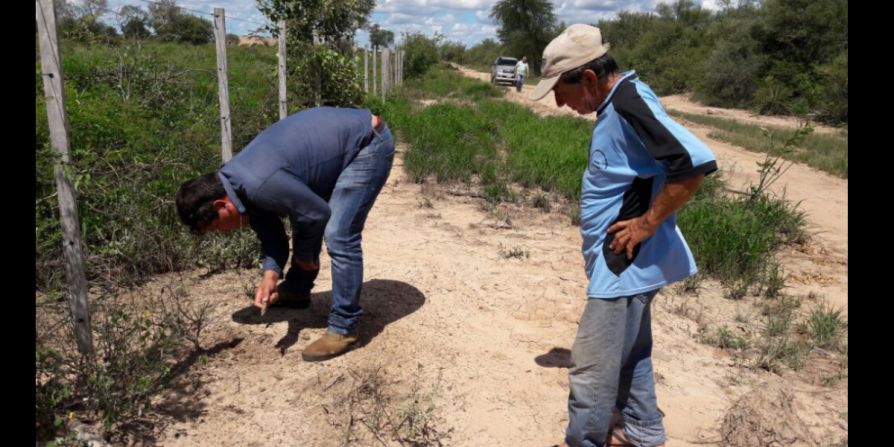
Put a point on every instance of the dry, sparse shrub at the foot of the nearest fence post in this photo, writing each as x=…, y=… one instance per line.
x=138, y=348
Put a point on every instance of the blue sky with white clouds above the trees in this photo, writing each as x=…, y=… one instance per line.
x=463, y=21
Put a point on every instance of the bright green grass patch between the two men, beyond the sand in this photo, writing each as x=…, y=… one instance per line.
x=469, y=134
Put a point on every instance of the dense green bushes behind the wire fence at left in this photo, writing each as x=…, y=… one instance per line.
x=140, y=125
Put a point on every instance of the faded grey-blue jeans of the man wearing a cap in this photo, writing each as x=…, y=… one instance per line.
x=612, y=368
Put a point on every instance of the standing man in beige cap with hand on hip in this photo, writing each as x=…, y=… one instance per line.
x=642, y=167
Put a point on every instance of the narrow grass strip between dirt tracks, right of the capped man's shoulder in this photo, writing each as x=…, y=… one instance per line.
x=825, y=152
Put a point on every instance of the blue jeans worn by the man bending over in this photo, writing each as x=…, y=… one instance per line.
x=355, y=192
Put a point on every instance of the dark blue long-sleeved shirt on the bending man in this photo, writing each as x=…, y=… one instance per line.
x=290, y=170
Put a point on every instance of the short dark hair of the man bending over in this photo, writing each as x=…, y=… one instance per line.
x=195, y=201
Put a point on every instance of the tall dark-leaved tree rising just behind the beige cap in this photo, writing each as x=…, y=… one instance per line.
x=525, y=27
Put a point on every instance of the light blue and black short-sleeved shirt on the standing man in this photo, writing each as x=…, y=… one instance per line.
x=636, y=147
